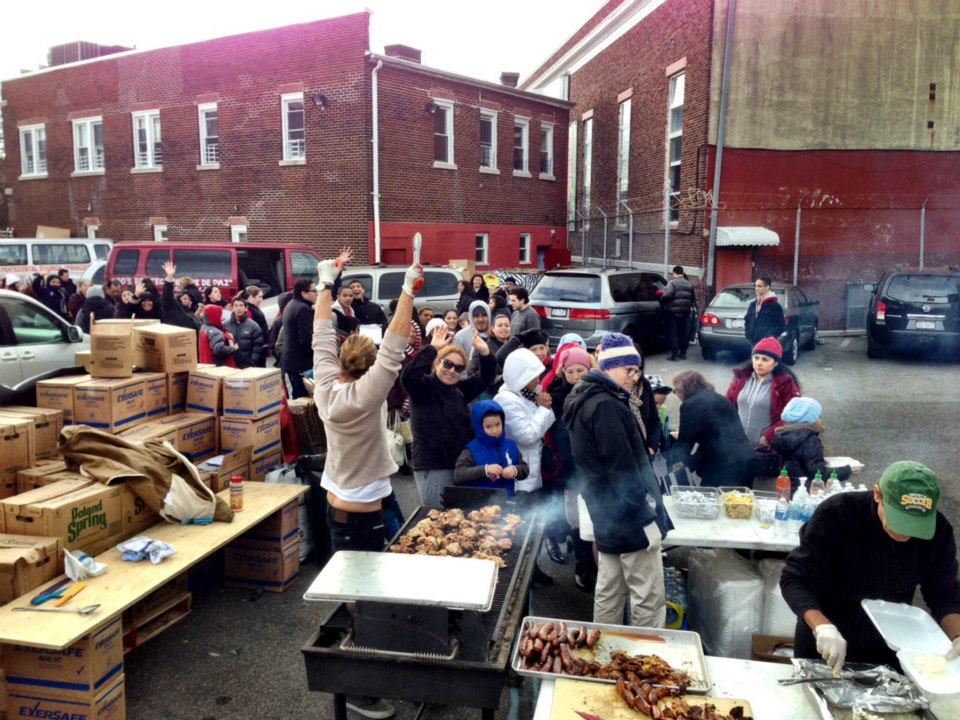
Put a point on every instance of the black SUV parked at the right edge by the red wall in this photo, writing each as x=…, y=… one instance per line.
x=915, y=310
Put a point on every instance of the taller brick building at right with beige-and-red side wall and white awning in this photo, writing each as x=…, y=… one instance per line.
x=840, y=141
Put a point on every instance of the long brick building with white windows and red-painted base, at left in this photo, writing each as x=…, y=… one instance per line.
x=269, y=136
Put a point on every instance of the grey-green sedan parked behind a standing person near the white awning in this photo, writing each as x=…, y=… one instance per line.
x=722, y=322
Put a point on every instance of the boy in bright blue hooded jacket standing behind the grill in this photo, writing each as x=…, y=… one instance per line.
x=491, y=459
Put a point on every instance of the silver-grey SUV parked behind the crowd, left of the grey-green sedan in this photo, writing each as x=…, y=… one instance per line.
x=592, y=301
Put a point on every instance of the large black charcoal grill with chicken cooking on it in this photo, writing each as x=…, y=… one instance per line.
x=402, y=655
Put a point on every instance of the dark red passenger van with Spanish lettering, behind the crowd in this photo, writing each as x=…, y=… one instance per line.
x=231, y=266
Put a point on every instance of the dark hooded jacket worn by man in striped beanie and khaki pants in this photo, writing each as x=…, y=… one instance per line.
x=619, y=486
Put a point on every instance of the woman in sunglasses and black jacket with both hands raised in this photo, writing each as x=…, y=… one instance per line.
x=439, y=399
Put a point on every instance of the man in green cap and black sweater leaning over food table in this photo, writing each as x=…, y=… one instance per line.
x=878, y=545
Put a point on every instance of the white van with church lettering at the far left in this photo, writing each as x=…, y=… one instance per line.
x=25, y=256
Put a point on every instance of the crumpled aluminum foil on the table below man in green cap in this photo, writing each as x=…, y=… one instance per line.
x=893, y=692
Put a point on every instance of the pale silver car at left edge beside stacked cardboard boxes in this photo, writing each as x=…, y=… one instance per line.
x=34, y=344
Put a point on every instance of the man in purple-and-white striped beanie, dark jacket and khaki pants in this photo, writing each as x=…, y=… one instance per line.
x=619, y=487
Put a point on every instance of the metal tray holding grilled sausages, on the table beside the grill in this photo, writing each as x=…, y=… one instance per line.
x=680, y=648
